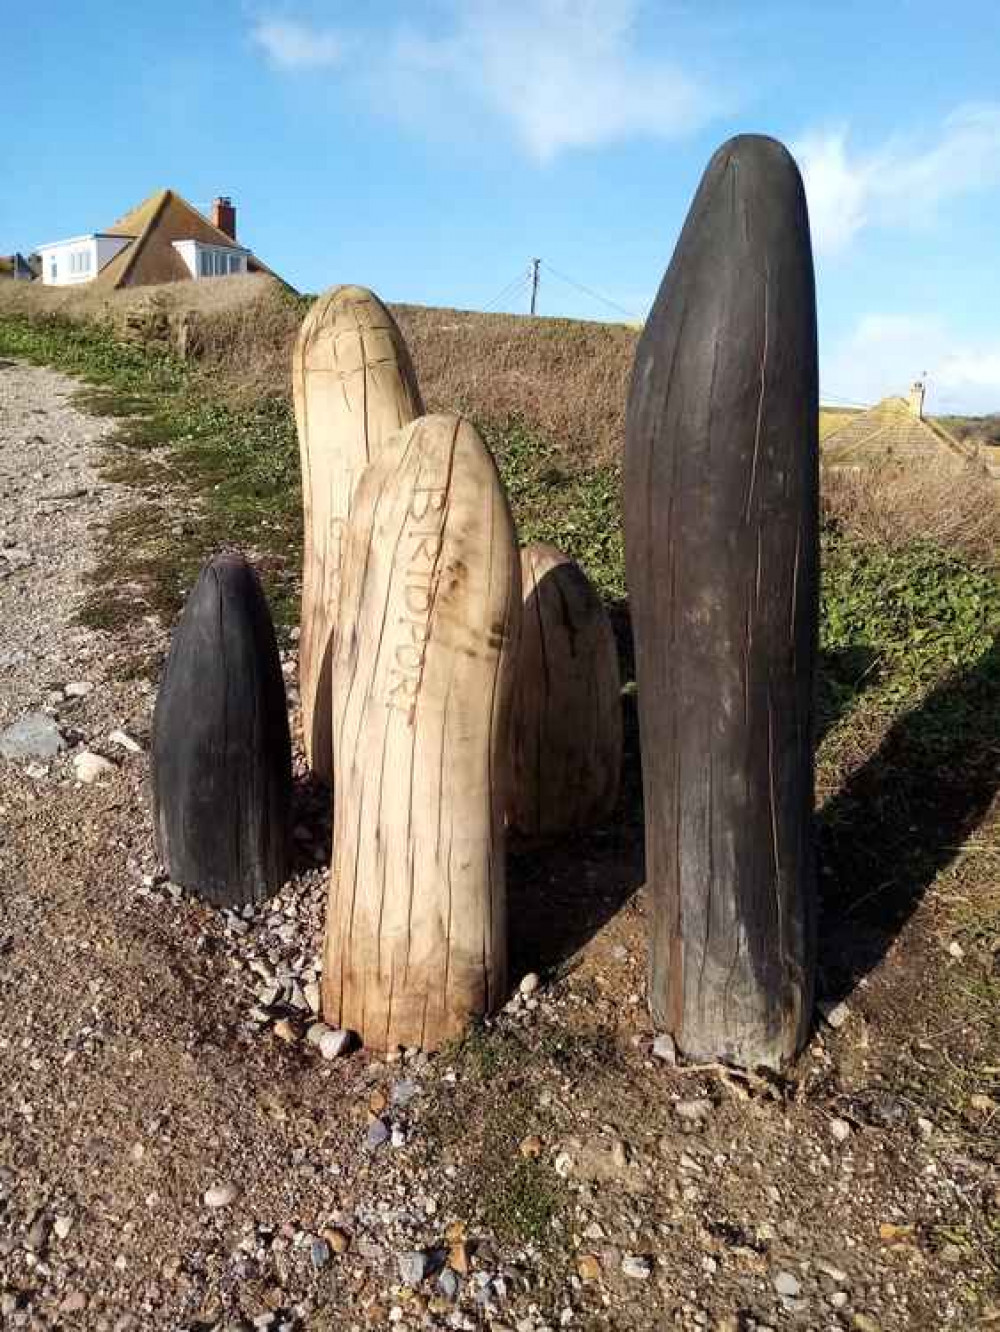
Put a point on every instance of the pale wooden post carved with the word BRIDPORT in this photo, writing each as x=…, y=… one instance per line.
x=423, y=685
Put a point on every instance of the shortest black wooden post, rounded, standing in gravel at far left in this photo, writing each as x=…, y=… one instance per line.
x=222, y=757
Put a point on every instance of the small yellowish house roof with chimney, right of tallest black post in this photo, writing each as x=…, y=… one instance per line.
x=897, y=431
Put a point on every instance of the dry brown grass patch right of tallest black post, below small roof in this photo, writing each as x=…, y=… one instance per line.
x=893, y=507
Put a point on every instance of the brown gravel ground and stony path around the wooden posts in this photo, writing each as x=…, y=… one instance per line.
x=178, y=1153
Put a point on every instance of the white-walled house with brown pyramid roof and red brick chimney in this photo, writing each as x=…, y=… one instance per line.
x=163, y=240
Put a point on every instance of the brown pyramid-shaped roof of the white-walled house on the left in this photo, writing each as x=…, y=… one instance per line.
x=152, y=227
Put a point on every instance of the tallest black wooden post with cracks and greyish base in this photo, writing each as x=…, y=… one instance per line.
x=721, y=516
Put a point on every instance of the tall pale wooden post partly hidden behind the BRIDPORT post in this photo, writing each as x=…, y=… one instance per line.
x=354, y=386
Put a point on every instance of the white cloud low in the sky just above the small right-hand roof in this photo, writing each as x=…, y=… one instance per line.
x=886, y=352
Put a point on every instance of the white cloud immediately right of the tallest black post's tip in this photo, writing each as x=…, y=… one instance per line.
x=903, y=182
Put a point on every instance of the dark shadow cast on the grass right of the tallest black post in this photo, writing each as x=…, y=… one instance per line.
x=903, y=817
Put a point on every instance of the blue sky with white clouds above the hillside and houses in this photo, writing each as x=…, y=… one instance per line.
x=431, y=149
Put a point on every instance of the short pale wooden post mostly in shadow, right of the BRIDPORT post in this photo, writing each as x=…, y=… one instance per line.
x=568, y=704
